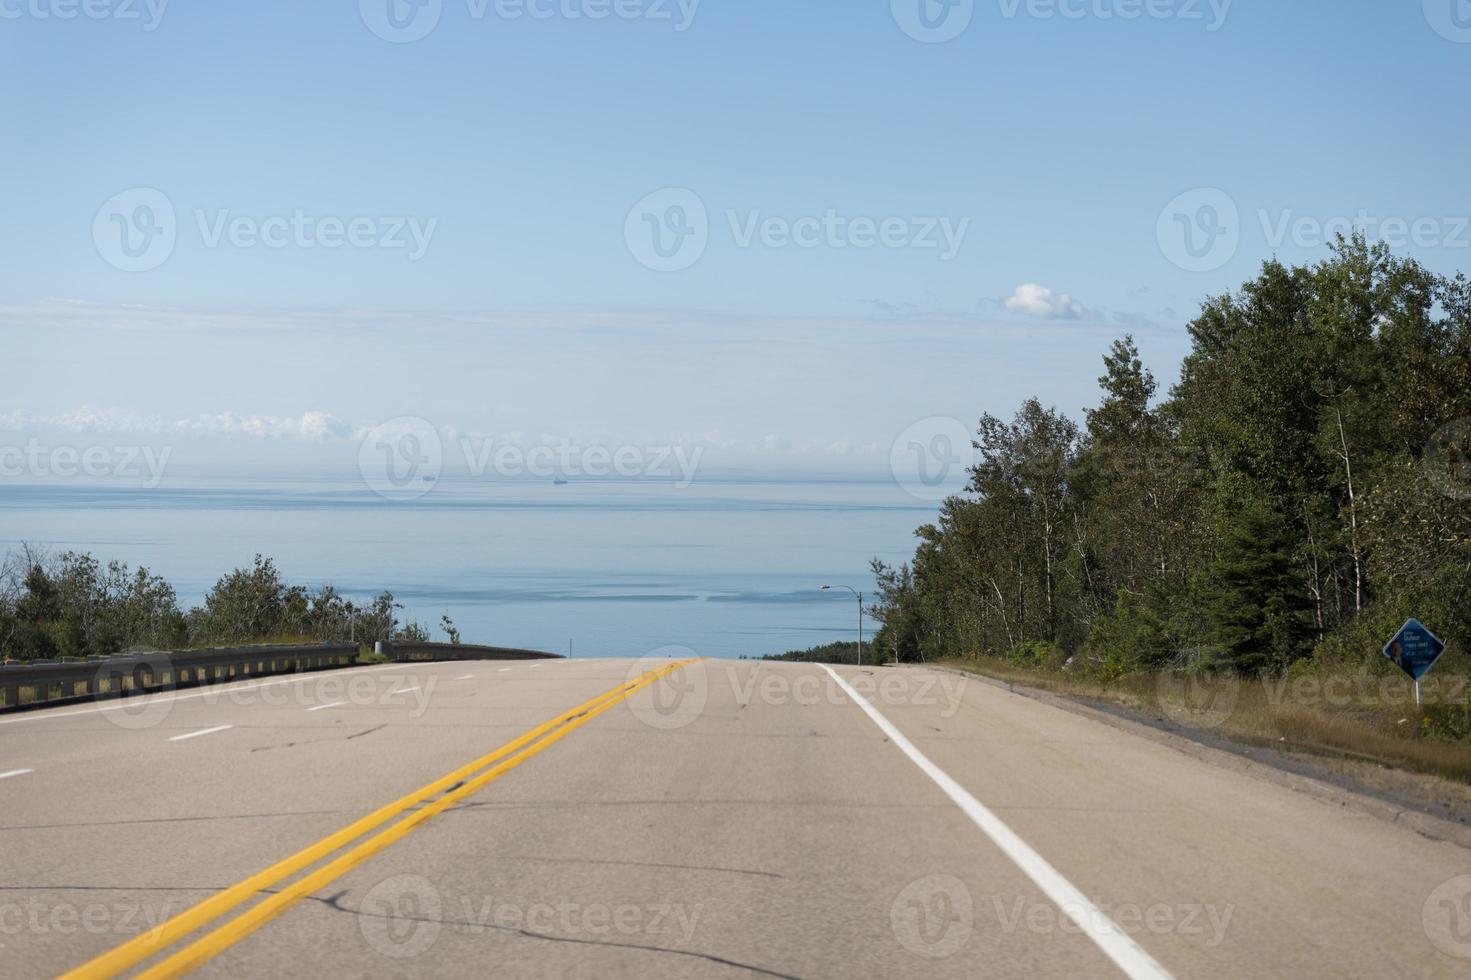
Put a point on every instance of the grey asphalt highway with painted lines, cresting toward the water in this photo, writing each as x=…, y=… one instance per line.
x=726, y=820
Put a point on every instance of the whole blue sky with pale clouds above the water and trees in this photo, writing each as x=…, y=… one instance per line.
x=1030, y=174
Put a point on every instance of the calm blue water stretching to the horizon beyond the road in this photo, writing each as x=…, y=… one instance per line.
x=614, y=569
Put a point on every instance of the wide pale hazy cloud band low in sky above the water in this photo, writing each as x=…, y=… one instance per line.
x=751, y=389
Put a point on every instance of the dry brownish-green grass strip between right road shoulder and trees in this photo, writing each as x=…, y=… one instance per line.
x=1366, y=717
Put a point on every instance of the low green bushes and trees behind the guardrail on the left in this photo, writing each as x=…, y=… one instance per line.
x=74, y=606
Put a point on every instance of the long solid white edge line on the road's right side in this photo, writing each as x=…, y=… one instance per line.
x=1116, y=944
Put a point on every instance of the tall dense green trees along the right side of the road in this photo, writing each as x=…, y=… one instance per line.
x=1300, y=492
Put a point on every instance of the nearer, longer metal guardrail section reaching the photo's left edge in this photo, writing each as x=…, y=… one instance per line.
x=139, y=673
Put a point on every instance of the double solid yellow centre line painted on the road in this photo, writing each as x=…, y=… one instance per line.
x=461, y=784
